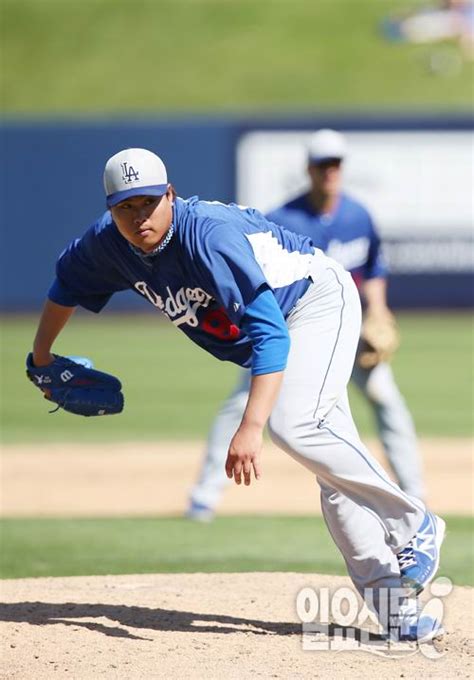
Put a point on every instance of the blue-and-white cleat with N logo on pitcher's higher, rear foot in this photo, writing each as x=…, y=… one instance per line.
x=419, y=560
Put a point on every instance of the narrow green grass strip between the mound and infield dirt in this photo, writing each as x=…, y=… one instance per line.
x=67, y=547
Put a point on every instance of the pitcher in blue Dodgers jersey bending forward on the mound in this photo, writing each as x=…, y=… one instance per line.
x=248, y=291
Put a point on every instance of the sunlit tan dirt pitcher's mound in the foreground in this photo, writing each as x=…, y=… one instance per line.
x=200, y=626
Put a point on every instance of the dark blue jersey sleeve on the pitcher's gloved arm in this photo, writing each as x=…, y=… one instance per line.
x=83, y=276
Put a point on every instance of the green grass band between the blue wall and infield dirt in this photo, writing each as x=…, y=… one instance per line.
x=173, y=388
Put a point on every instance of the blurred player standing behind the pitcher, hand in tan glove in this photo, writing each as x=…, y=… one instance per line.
x=343, y=228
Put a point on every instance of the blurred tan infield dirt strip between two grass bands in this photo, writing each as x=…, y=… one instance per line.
x=71, y=480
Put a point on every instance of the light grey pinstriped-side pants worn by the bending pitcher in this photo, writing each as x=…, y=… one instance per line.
x=368, y=516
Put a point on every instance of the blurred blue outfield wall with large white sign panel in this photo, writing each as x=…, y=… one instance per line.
x=416, y=175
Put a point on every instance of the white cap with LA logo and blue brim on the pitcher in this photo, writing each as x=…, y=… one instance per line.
x=134, y=172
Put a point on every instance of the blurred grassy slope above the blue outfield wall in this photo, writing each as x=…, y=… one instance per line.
x=103, y=56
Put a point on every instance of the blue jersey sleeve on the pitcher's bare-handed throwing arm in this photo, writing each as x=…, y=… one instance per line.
x=229, y=265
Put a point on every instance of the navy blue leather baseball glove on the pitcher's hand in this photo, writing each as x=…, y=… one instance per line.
x=76, y=388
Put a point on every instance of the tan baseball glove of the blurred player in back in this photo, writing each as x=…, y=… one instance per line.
x=379, y=339
